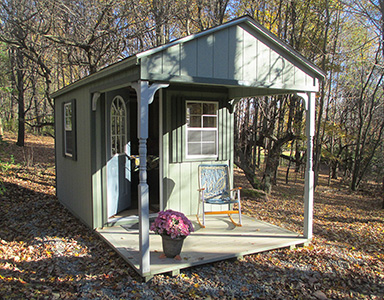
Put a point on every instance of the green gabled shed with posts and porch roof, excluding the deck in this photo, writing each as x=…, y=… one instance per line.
x=130, y=137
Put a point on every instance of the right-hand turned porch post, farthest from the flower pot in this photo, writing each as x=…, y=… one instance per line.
x=310, y=102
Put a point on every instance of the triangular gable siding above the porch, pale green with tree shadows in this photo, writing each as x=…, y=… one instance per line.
x=236, y=55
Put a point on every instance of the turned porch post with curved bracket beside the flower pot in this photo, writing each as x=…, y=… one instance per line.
x=145, y=93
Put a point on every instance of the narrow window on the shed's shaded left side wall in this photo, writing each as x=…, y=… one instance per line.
x=69, y=133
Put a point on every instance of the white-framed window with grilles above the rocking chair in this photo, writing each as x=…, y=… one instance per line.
x=201, y=129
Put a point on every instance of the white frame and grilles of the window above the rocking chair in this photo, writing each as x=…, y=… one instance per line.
x=202, y=128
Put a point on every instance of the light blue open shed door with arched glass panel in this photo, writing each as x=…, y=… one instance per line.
x=118, y=153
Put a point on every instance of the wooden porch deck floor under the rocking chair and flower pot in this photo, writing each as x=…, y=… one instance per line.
x=220, y=240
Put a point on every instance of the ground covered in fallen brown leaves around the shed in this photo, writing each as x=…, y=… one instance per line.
x=46, y=253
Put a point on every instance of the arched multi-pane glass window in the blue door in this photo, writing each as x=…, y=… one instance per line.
x=118, y=126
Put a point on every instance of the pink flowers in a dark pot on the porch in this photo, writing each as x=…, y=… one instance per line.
x=173, y=227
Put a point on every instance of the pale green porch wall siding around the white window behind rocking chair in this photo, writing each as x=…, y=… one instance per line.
x=180, y=175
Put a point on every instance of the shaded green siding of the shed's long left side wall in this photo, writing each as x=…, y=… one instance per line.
x=81, y=183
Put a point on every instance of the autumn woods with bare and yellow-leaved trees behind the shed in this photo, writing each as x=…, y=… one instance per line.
x=47, y=44
